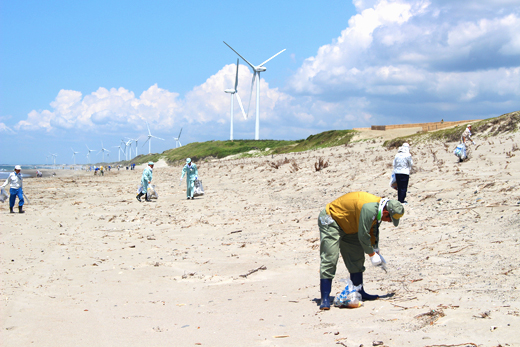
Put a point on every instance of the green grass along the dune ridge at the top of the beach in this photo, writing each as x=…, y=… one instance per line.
x=248, y=148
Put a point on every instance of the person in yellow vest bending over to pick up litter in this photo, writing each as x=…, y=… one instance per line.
x=350, y=225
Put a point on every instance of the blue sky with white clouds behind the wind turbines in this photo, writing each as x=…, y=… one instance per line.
x=75, y=74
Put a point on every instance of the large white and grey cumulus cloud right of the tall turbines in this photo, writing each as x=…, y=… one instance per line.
x=430, y=52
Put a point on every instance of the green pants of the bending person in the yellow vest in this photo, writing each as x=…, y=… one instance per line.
x=333, y=240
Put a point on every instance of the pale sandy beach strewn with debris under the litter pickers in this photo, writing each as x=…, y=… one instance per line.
x=88, y=265
